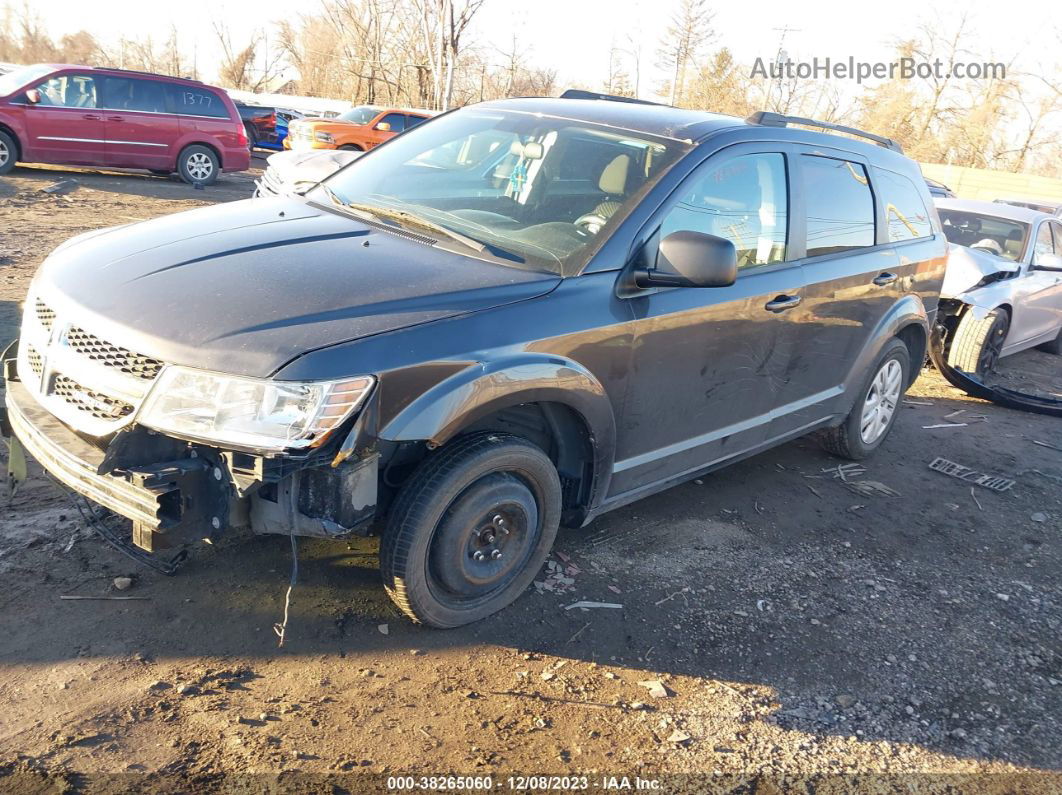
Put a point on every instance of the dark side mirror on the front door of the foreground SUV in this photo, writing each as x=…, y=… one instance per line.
x=692, y=260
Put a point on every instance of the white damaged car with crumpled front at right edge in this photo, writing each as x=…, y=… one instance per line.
x=1003, y=289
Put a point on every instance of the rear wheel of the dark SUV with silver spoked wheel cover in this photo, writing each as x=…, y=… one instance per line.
x=889, y=378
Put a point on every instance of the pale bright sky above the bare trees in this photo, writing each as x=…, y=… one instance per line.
x=575, y=37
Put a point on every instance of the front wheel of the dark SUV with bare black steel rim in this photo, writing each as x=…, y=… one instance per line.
x=471, y=529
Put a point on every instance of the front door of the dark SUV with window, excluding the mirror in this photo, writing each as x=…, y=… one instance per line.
x=708, y=362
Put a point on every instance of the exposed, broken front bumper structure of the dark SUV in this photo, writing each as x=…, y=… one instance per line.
x=177, y=493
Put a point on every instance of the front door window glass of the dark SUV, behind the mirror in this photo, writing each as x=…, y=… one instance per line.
x=744, y=200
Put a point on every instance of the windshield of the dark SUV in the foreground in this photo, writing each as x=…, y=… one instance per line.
x=535, y=192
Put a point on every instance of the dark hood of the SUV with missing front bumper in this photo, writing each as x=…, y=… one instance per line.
x=247, y=287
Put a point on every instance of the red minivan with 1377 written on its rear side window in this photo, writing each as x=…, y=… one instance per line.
x=89, y=116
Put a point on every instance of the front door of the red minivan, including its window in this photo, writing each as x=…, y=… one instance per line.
x=67, y=126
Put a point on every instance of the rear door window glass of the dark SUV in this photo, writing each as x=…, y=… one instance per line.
x=841, y=206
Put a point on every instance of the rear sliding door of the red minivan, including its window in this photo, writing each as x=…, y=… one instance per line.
x=142, y=126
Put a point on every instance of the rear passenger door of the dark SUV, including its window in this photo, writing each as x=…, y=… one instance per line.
x=853, y=276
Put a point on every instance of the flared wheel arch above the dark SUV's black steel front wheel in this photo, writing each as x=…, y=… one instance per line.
x=486, y=388
